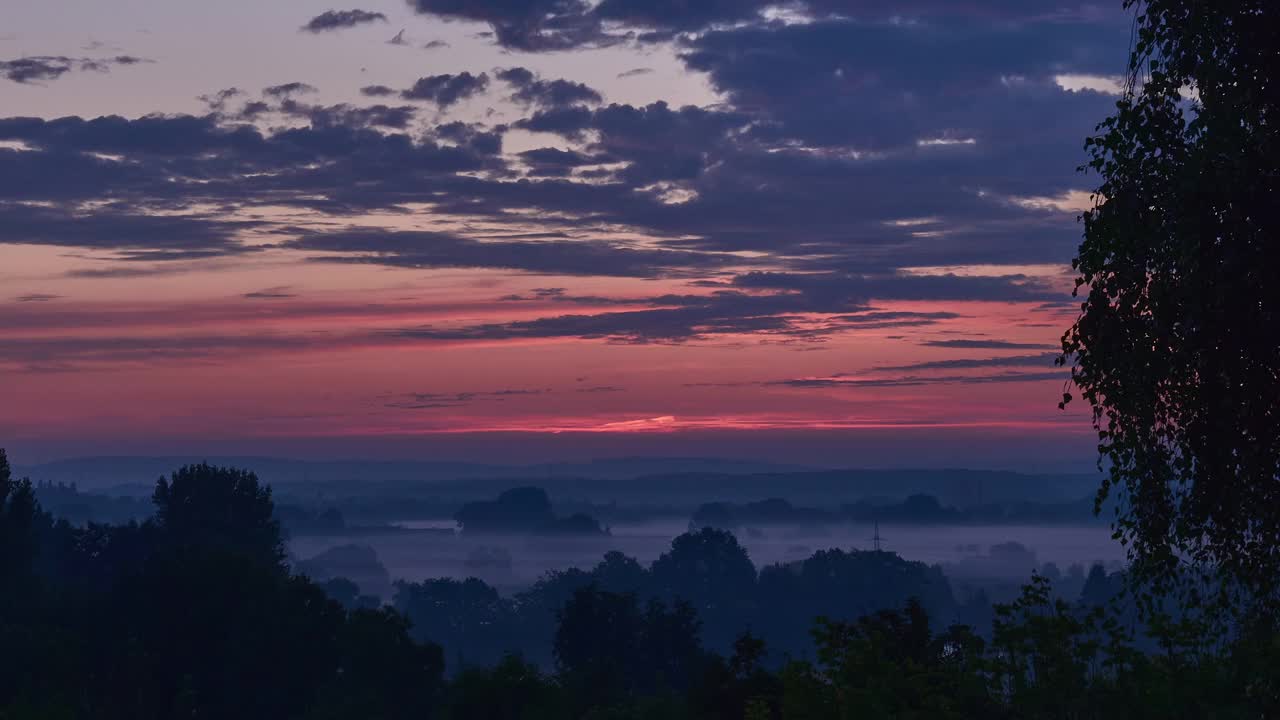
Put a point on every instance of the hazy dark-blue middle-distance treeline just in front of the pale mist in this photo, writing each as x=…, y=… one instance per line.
x=708, y=571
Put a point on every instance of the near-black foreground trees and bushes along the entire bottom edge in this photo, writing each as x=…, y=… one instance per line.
x=195, y=614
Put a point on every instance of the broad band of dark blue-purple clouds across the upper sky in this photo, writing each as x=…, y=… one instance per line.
x=816, y=171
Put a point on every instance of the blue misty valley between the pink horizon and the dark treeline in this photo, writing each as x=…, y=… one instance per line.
x=405, y=514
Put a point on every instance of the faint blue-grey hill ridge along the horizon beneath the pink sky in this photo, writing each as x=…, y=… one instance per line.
x=650, y=481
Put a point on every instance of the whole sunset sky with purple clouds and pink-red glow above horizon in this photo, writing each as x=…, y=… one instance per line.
x=830, y=233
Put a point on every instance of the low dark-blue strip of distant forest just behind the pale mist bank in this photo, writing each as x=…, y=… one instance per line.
x=355, y=508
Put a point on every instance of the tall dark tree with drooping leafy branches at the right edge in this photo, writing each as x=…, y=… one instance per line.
x=1176, y=348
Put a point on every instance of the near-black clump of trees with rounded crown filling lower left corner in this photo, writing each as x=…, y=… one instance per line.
x=189, y=614
